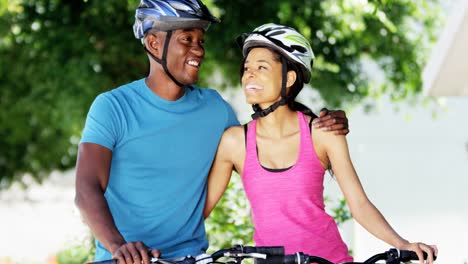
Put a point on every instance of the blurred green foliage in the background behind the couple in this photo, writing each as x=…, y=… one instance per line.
x=56, y=56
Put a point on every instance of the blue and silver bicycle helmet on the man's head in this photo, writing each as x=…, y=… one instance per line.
x=166, y=15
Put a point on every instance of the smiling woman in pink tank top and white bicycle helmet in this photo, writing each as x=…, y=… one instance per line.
x=282, y=159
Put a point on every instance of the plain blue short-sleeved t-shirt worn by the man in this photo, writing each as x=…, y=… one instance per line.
x=162, y=152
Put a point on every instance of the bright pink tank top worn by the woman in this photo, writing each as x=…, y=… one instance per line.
x=287, y=207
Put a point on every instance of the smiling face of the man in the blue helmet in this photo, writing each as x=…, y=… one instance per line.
x=185, y=54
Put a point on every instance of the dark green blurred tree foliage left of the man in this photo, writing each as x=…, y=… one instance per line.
x=56, y=57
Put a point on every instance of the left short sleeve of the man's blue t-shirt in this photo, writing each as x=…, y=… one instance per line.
x=102, y=122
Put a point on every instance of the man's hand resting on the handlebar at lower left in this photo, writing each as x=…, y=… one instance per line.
x=135, y=252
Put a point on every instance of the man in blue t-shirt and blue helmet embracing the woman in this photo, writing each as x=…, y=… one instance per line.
x=147, y=146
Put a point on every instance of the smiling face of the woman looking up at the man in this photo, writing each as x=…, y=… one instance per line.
x=261, y=79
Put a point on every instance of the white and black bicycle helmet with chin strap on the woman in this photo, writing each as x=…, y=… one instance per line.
x=291, y=45
